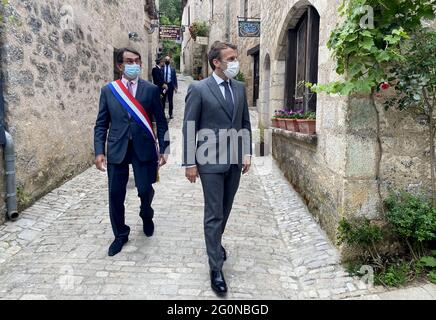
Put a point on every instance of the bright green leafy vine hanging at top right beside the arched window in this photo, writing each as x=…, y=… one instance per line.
x=362, y=53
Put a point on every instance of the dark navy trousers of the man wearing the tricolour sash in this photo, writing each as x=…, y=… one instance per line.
x=118, y=175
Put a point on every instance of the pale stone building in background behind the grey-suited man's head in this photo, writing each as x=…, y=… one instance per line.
x=222, y=19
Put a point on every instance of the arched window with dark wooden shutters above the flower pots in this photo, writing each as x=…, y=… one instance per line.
x=302, y=62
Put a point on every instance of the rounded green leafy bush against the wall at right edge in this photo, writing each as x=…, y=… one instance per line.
x=412, y=217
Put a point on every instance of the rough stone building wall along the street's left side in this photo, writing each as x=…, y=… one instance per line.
x=55, y=57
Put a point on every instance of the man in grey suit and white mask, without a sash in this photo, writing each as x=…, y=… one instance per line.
x=216, y=112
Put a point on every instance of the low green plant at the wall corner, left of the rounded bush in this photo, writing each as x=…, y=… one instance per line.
x=362, y=233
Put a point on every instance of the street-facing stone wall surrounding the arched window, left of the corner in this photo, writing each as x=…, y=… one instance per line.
x=315, y=167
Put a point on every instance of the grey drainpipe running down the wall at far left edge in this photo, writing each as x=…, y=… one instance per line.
x=9, y=158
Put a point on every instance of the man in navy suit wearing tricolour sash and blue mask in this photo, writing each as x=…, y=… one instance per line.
x=129, y=143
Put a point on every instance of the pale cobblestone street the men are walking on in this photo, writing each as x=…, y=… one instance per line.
x=58, y=249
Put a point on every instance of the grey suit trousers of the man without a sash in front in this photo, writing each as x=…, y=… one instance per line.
x=219, y=192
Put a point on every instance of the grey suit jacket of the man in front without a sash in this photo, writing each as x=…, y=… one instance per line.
x=207, y=116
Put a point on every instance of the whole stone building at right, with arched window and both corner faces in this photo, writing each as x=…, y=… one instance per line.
x=335, y=170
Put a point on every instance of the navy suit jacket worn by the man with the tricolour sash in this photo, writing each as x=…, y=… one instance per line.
x=113, y=117
